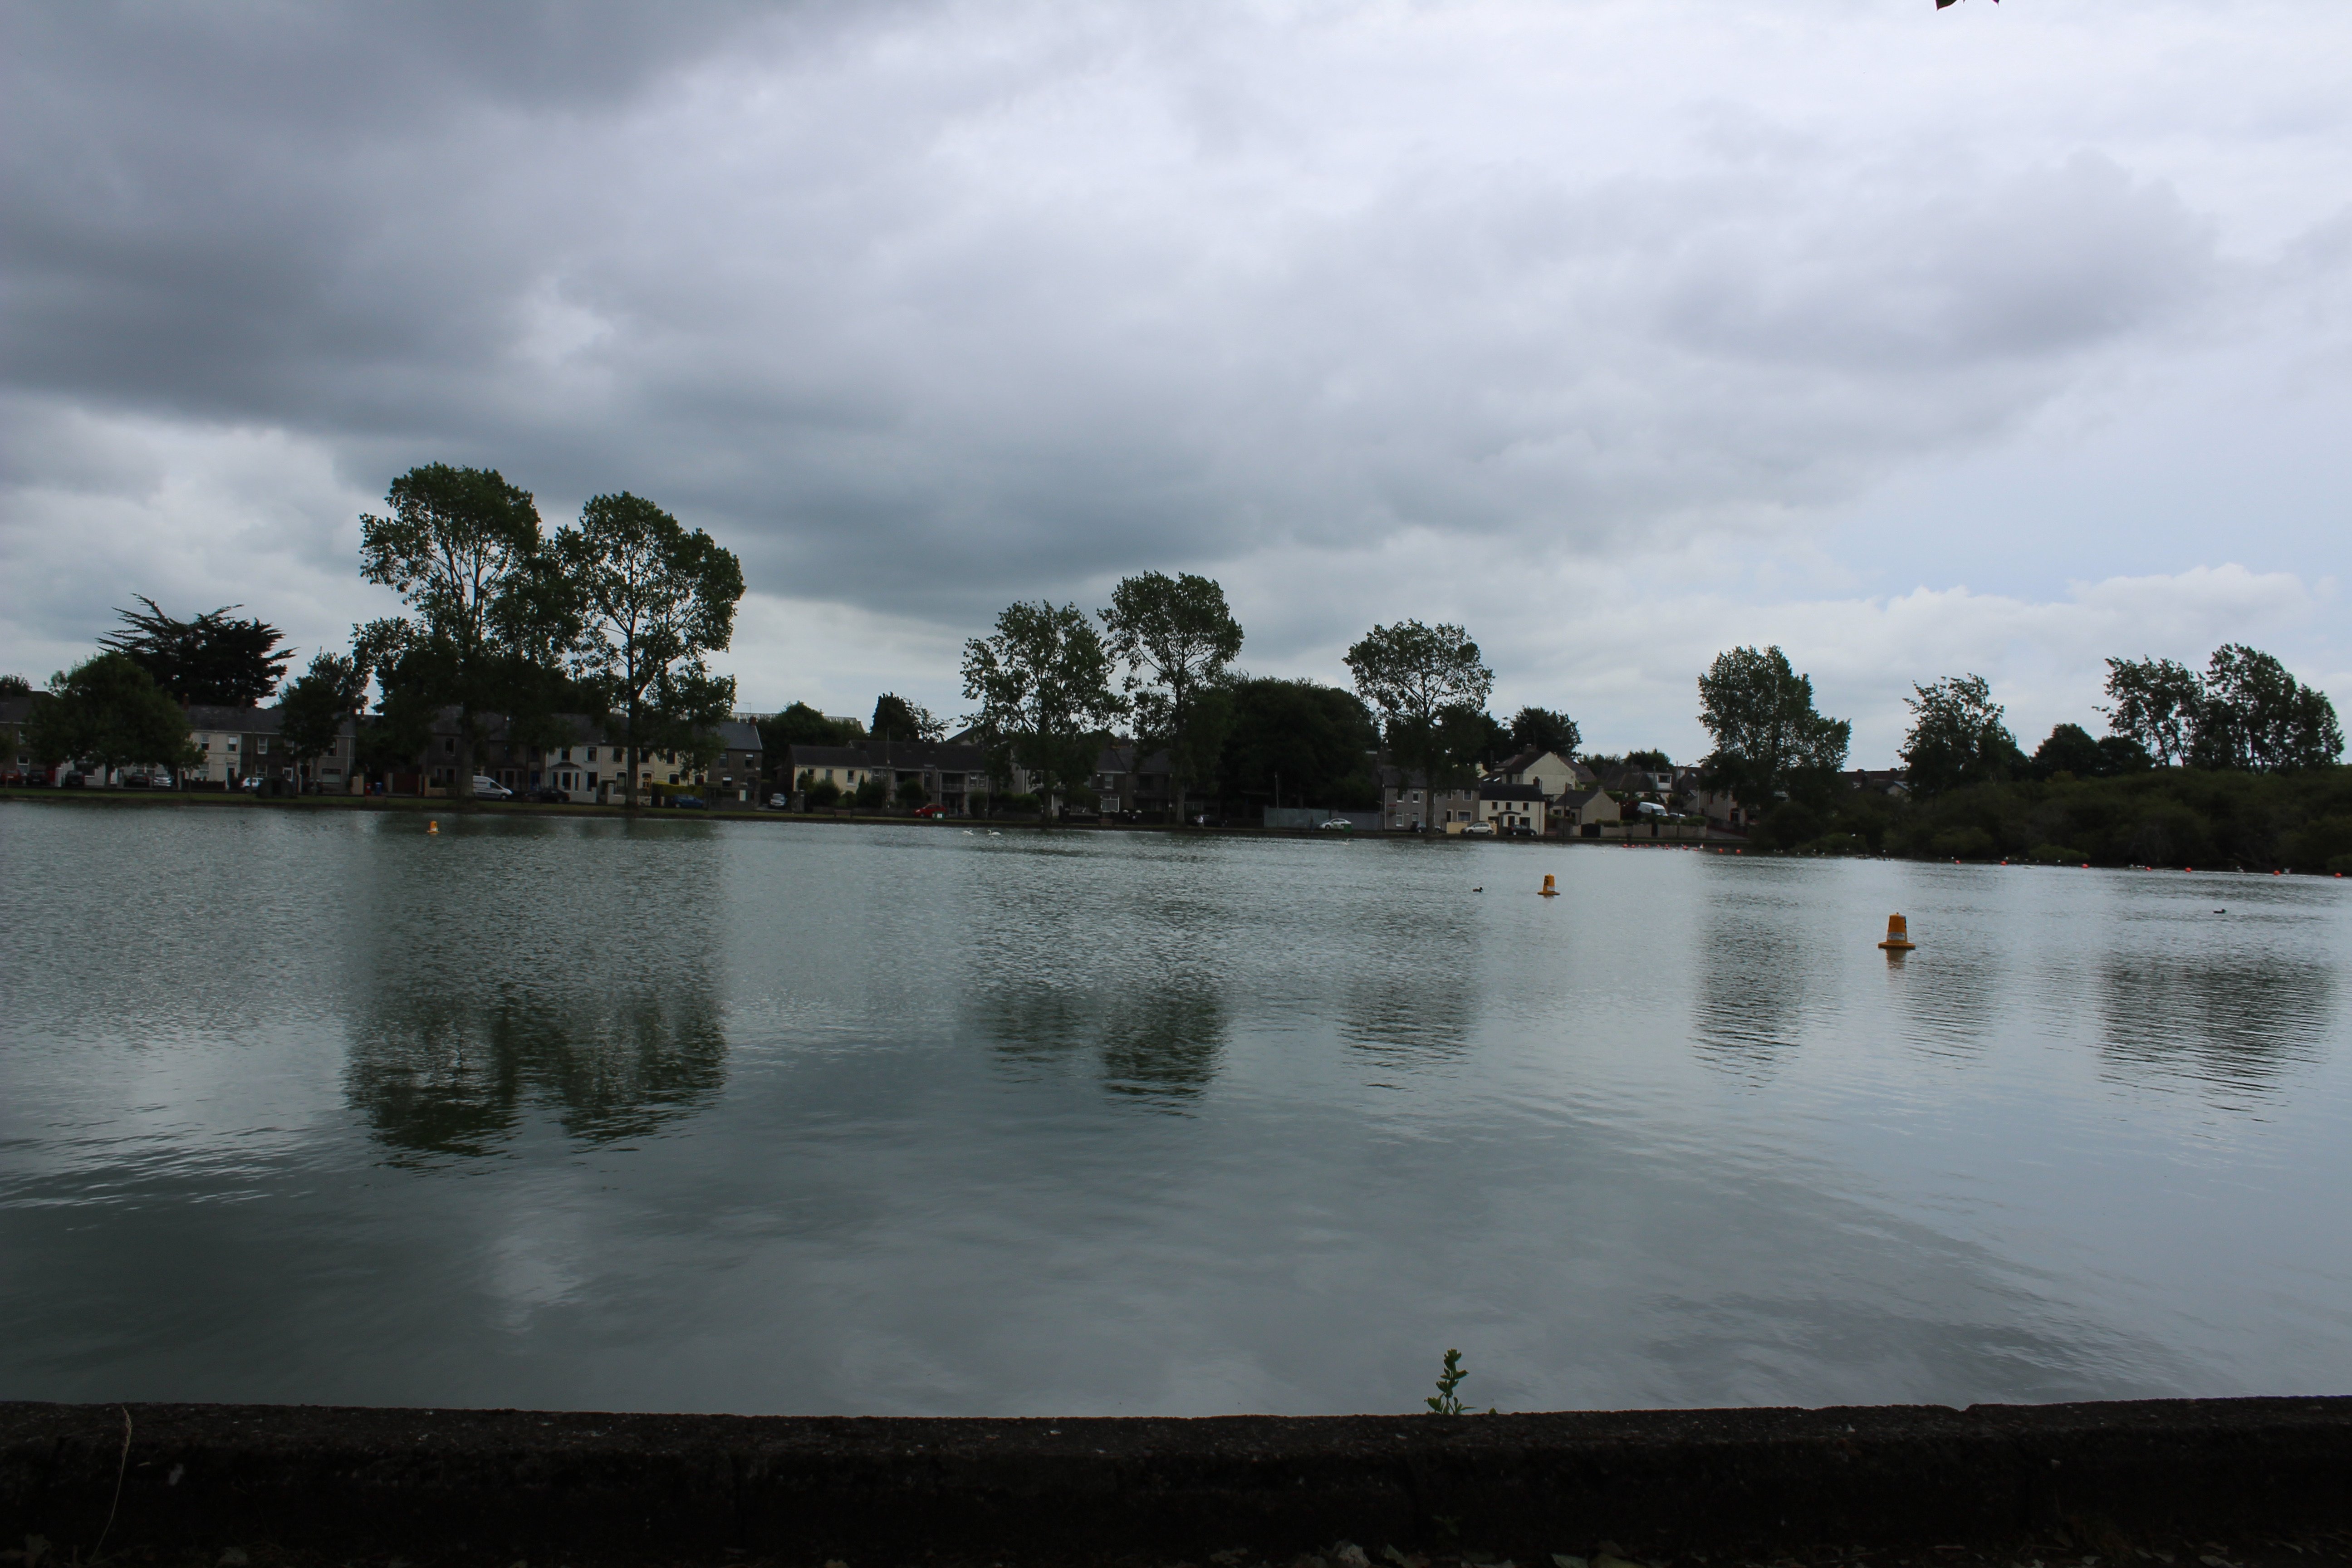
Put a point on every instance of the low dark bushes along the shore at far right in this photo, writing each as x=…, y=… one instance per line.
x=2158, y=817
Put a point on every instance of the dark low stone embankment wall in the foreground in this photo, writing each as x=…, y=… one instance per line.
x=309, y=1485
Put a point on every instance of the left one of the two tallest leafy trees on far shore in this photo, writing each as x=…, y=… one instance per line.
x=465, y=551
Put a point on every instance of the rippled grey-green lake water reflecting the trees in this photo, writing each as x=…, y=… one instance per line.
x=787, y=1118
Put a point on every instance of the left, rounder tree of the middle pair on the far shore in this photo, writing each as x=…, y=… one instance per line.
x=1043, y=683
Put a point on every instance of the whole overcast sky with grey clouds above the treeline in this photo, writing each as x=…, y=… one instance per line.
x=1918, y=342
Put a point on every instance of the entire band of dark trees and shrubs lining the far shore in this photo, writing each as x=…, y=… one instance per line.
x=601, y=636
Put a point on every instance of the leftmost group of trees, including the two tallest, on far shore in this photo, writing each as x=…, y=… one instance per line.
x=613, y=619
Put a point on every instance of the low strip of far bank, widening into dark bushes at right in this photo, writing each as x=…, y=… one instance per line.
x=2165, y=819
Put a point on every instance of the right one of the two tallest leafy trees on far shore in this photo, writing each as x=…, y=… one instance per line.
x=655, y=601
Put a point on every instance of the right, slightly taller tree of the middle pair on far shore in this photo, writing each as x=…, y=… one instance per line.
x=1177, y=641
